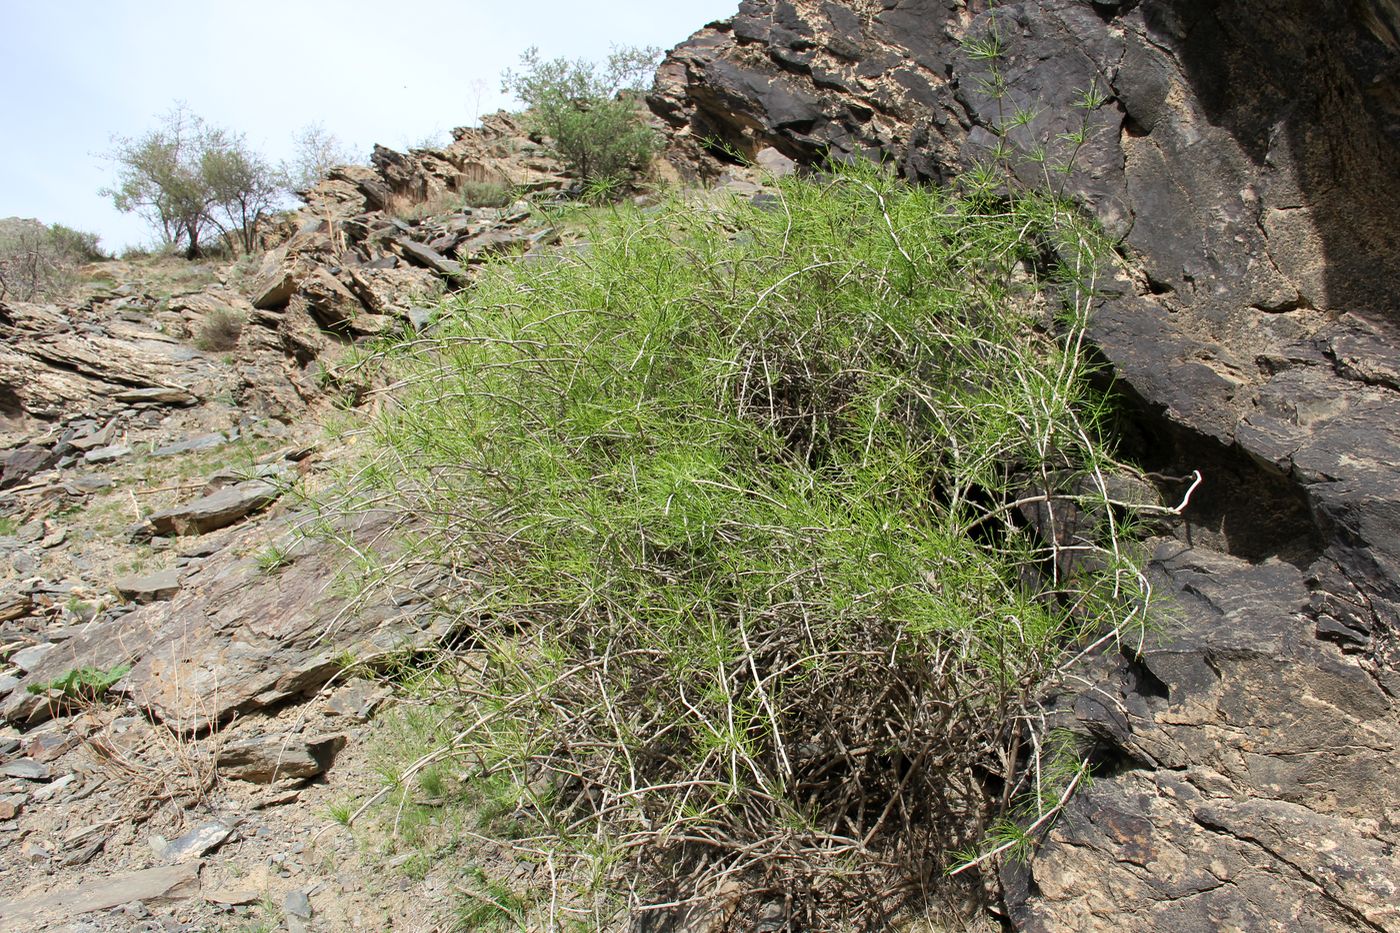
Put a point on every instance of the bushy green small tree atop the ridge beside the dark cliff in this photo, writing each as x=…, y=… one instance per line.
x=589, y=111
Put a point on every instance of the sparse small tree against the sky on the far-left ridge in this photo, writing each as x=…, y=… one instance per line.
x=191, y=180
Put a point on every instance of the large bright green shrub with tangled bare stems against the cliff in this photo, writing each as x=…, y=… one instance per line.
x=757, y=501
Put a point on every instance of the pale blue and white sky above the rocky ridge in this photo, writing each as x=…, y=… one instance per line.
x=79, y=74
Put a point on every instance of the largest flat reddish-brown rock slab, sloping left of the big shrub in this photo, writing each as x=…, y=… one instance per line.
x=237, y=640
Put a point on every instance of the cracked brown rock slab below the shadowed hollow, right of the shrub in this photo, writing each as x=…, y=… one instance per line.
x=1227, y=802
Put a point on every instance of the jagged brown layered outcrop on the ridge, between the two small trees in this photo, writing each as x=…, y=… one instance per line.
x=374, y=243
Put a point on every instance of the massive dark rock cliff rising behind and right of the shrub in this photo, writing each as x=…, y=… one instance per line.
x=1248, y=159
